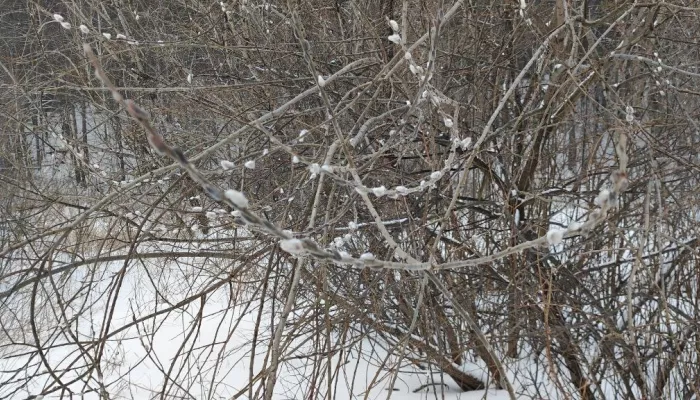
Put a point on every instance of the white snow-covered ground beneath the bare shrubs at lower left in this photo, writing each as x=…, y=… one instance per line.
x=205, y=346
